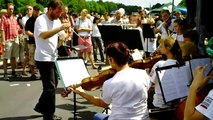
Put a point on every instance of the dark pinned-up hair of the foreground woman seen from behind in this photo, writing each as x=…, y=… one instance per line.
x=119, y=52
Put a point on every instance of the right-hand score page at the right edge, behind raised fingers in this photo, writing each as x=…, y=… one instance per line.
x=201, y=61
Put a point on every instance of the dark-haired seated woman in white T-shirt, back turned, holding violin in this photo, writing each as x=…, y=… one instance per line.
x=125, y=91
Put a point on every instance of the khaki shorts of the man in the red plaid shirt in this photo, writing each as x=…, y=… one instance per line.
x=11, y=49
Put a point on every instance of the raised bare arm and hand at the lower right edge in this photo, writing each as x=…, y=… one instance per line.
x=190, y=113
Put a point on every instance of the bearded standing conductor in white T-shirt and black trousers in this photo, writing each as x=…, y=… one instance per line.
x=47, y=30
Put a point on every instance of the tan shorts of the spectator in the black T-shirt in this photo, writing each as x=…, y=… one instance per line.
x=31, y=48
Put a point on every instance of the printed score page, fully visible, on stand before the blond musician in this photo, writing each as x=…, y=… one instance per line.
x=174, y=82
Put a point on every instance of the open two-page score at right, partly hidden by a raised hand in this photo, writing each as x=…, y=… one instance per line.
x=175, y=80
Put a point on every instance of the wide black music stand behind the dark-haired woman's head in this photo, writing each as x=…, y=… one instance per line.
x=131, y=38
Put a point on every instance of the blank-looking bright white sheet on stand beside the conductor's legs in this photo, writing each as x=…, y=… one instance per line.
x=71, y=71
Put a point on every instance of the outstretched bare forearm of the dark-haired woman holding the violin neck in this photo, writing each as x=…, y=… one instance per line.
x=92, y=99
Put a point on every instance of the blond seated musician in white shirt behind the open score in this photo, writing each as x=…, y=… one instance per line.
x=171, y=49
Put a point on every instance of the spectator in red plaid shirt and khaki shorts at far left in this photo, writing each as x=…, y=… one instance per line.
x=10, y=41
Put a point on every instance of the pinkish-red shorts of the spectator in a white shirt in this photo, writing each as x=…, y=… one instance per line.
x=86, y=41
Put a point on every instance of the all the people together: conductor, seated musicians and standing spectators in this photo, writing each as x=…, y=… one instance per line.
x=37, y=39
